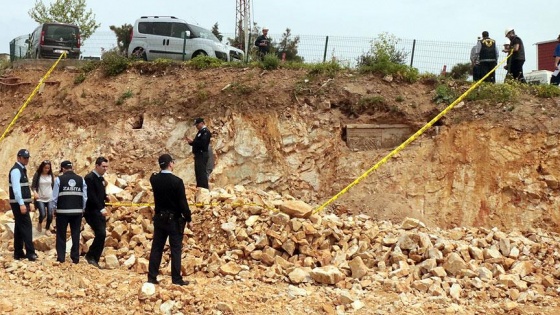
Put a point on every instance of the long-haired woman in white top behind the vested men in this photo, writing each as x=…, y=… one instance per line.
x=42, y=184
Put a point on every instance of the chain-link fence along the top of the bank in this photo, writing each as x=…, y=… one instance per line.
x=427, y=56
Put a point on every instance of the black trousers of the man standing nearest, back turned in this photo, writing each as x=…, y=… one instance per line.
x=165, y=227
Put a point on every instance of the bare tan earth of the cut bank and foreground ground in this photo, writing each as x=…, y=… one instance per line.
x=488, y=165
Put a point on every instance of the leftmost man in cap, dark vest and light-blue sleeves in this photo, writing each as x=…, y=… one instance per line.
x=20, y=201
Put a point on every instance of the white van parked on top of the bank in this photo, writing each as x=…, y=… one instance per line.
x=154, y=37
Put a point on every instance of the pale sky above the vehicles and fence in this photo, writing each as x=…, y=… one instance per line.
x=431, y=20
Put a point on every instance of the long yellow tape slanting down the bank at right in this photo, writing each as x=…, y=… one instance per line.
x=409, y=140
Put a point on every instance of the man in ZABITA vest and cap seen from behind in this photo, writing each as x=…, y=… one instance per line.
x=69, y=201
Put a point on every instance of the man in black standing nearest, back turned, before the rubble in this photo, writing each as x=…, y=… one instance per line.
x=172, y=213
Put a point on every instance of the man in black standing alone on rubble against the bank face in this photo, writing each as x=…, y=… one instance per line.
x=200, y=145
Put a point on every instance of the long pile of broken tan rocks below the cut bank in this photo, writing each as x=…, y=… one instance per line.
x=251, y=234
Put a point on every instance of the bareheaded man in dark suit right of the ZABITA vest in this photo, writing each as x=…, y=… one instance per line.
x=96, y=214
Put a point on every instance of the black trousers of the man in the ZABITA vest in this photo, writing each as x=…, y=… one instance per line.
x=62, y=222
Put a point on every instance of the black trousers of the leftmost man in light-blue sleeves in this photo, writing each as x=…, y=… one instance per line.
x=23, y=232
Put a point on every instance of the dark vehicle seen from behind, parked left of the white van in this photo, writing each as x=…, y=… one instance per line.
x=50, y=40
